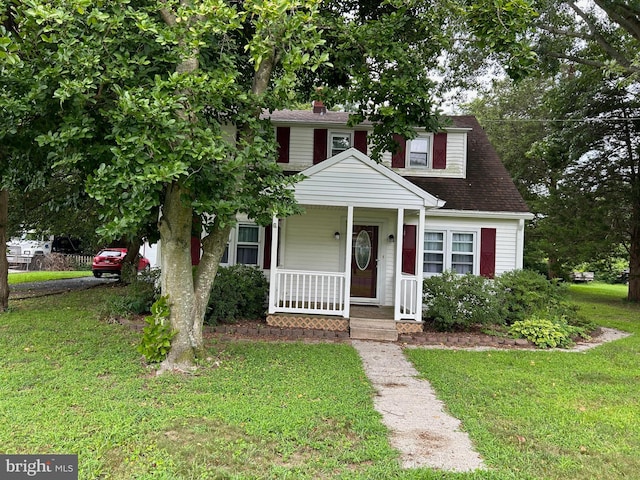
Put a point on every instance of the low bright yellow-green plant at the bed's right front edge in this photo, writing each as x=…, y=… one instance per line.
x=547, y=331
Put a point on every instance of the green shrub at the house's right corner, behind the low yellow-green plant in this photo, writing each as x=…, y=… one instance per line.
x=524, y=292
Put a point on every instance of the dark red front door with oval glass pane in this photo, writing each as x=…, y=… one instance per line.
x=364, y=261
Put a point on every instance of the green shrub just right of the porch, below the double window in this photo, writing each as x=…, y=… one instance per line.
x=455, y=302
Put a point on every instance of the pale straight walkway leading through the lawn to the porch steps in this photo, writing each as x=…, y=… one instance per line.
x=420, y=429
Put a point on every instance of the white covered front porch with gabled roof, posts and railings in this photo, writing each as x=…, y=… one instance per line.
x=350, y=249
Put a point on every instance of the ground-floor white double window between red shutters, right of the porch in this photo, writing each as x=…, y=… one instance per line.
x=449, y=250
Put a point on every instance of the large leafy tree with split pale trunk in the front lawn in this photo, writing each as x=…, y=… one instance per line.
x=160, y=103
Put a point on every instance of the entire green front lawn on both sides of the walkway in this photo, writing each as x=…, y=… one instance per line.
x=72, y=384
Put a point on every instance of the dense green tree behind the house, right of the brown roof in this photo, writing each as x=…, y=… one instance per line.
x=568, y=141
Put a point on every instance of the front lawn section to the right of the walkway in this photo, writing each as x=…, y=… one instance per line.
x=551, y=414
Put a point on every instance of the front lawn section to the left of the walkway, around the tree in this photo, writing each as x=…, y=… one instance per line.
x=71, y=384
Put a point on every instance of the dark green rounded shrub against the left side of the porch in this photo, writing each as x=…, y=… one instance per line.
x=238, y=292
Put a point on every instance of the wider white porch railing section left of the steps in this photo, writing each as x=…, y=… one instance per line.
x=299, y=291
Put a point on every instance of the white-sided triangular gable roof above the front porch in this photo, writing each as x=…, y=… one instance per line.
x=353, y=179
